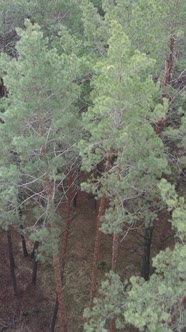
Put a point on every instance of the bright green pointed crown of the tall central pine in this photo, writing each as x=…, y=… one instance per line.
x=119, y=124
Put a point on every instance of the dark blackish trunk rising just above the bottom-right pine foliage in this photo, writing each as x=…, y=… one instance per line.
x=145, y=272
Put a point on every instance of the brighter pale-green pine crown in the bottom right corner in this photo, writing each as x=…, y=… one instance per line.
x=157, y=304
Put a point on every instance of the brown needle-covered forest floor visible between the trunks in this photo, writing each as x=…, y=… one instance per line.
x=31, y=310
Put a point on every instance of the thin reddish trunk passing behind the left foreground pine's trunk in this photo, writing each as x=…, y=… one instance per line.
x=64, y=243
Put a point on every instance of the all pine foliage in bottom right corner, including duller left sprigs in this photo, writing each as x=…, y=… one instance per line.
x=157, y=304
